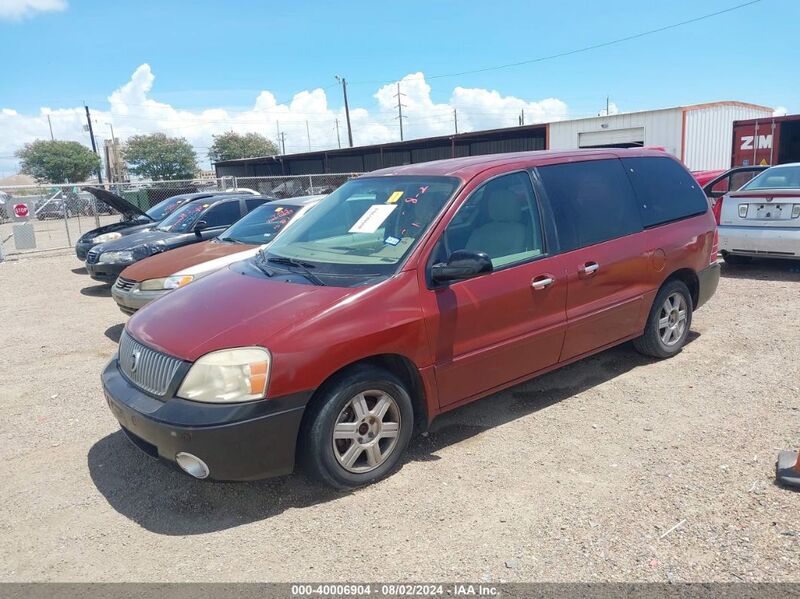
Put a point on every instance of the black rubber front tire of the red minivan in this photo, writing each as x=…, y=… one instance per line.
x=316, y=445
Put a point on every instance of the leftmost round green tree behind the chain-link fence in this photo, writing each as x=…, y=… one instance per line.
x=57, y=161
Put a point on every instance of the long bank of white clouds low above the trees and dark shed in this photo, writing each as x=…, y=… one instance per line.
x=133, y=109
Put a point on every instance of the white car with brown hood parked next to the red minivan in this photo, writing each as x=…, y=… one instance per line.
x=151, y=278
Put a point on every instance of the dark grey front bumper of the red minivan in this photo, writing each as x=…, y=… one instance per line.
x=236, y=441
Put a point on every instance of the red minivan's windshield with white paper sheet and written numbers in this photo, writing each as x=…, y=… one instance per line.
x=366, y=227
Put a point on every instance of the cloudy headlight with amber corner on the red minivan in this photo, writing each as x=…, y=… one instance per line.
x=228, y=376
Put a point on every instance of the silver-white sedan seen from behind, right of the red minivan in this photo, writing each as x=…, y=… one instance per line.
x=762, y=219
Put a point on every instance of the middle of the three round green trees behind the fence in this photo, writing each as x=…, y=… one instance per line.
x=160, y=157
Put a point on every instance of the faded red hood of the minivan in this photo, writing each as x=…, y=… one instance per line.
x=229, y=309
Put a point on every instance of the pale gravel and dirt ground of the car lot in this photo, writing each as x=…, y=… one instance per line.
x=617, y=468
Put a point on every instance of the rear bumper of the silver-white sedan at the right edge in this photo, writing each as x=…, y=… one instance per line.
x=768, y=242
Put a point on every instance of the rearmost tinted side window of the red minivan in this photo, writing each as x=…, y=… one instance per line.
x=667, y=192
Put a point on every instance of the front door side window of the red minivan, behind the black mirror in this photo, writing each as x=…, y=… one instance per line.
x=501, y=219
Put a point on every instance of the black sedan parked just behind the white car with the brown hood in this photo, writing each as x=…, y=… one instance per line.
x=197, y=220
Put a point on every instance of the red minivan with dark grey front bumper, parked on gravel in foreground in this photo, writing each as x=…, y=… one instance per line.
x=406, y=293
